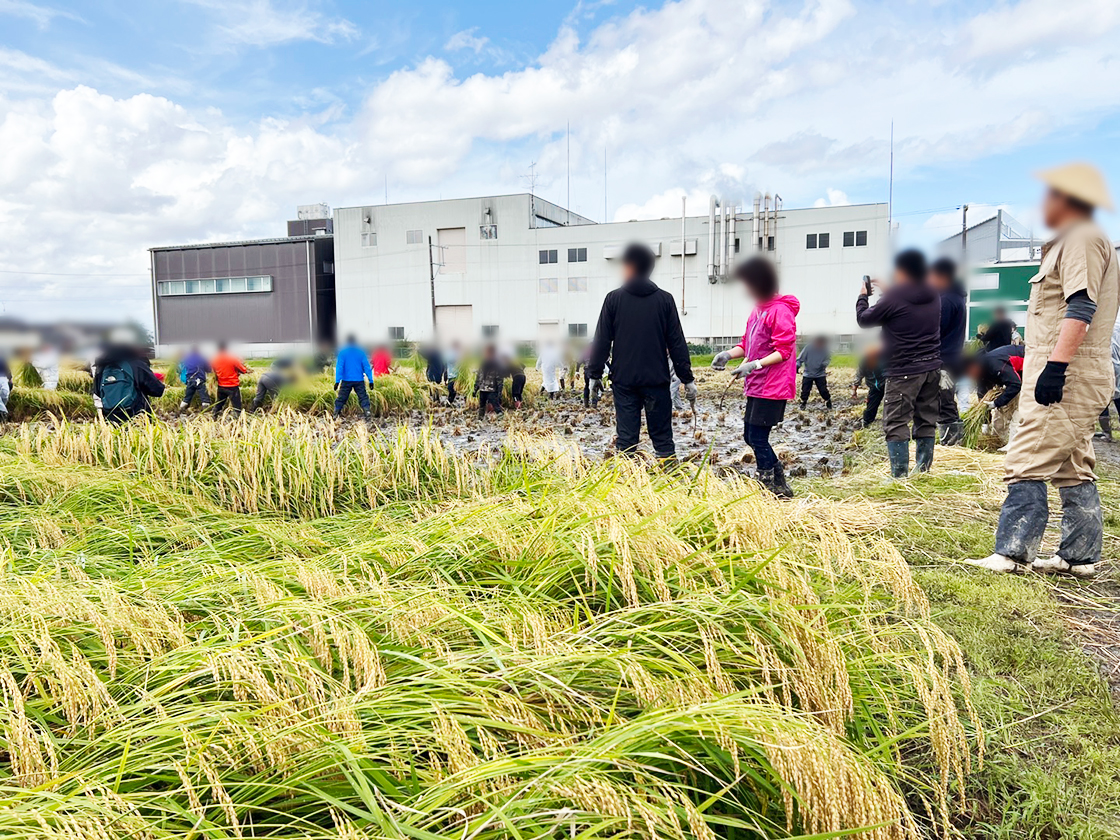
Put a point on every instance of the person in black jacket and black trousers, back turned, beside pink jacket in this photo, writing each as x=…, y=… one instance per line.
x=638, y=326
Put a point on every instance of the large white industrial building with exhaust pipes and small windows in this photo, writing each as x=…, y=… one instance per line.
x=521, y=269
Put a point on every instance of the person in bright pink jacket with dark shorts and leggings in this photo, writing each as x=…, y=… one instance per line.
x=770, y=371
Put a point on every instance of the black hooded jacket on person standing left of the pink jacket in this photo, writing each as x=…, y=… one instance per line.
x=638, y=325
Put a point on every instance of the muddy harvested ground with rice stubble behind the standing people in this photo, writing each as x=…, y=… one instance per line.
x=810, y=443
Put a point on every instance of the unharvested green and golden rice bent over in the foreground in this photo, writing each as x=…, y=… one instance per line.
x=272, y=630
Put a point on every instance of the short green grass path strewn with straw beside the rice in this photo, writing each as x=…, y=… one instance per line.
x=1054, y=735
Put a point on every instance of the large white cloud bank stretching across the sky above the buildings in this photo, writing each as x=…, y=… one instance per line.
x=694, y=98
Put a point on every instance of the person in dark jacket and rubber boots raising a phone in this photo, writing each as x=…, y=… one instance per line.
x=910, y=314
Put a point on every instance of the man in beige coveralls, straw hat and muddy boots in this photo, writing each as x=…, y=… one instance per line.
x=1068, y=379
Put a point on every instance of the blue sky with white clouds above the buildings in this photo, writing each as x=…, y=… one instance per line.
x=128, y=125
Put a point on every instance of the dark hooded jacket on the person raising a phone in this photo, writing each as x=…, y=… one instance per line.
x=910, y=315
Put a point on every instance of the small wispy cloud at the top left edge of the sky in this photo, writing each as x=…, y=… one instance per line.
x=266, y=24
